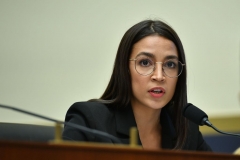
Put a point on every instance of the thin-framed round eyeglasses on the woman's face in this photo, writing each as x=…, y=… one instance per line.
x=145, y=66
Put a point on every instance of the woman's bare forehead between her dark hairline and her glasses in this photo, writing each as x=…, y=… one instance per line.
x=157, y=46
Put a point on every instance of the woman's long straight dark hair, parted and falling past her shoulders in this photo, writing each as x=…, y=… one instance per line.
x=119, y=90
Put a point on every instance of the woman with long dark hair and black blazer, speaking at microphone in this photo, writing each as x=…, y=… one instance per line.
x=147, y=89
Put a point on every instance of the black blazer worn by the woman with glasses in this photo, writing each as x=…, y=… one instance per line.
x=118, y=122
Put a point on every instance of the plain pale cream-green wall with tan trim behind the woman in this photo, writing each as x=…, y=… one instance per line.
x=54, y=53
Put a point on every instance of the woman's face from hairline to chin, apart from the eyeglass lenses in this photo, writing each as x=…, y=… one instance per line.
x=156, y=89
